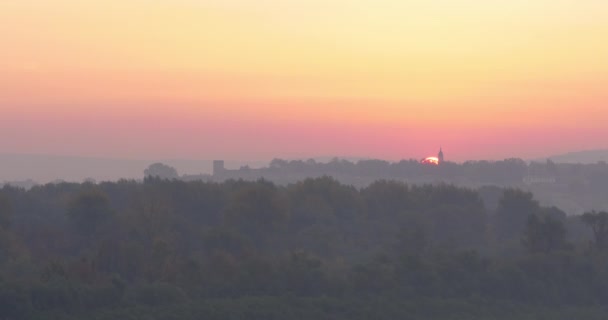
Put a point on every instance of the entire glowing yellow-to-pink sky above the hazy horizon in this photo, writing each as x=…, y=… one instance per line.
x=259, y=79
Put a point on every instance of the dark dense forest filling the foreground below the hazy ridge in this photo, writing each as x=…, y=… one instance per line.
x=316, y=249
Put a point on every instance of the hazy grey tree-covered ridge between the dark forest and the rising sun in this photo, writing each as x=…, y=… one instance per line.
x=575, y=188
